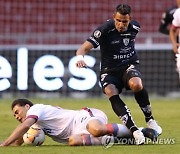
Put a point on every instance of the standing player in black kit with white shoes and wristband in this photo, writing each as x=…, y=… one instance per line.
x=119, y=67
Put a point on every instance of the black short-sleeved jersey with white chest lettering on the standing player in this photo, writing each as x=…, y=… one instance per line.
x=117, y=48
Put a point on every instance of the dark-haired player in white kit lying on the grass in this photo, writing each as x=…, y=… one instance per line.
x=75, y=127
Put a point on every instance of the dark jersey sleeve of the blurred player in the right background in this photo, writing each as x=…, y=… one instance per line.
x=166, y=20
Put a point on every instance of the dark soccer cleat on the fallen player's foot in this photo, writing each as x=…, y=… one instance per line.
x=150, y=133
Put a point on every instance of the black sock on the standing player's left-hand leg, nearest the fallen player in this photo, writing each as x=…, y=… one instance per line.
x=123, y=112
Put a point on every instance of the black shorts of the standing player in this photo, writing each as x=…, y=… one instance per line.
x=119, y=77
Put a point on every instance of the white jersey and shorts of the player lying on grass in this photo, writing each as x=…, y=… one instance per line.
x=60, y=124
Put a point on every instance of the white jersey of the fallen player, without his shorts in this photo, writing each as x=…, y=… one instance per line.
x=53, y=120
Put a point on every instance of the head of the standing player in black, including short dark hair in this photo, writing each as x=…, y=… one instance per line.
x=122, y=17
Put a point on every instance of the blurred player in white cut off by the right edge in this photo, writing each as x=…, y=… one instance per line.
x=174, y=34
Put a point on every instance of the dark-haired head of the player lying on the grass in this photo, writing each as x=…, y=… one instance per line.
x=20, y=108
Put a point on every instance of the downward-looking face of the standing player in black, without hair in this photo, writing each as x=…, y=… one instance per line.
x=121, y=21
